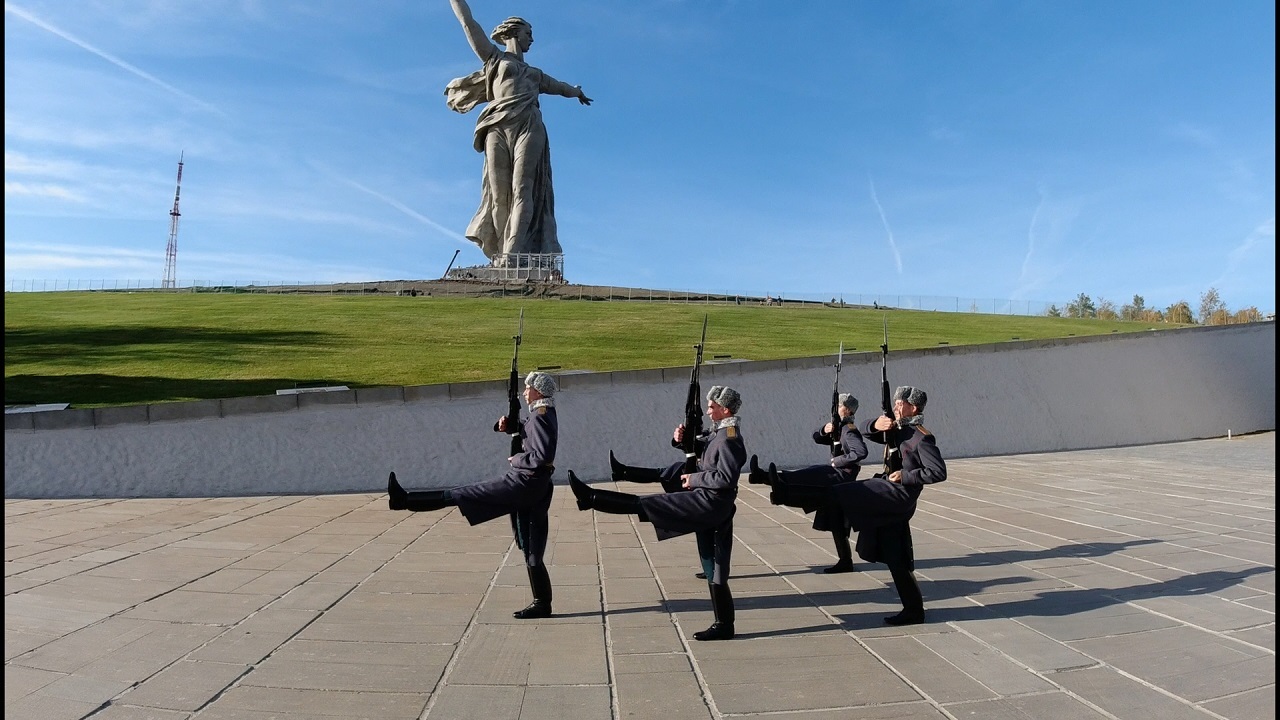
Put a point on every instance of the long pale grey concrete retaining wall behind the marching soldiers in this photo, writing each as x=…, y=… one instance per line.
x=1002, y=399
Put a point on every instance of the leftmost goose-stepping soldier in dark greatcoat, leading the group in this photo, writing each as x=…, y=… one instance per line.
x=524, y=491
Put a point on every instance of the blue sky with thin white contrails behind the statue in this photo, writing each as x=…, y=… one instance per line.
x=1025, y=151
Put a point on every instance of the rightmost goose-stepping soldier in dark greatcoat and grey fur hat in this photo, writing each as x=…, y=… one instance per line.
x=881, y=508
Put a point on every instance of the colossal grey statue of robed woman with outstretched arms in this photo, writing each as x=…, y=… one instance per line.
x=518, y=207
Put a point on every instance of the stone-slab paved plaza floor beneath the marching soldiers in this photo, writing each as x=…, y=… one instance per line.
x=1110, y=584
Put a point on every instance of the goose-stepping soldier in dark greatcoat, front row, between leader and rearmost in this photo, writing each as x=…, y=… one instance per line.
x=706, y=507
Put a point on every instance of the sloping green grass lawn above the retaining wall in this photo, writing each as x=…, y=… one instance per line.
x=99, y=349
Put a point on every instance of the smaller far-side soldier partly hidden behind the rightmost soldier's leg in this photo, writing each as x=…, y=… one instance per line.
x=842, y=470
